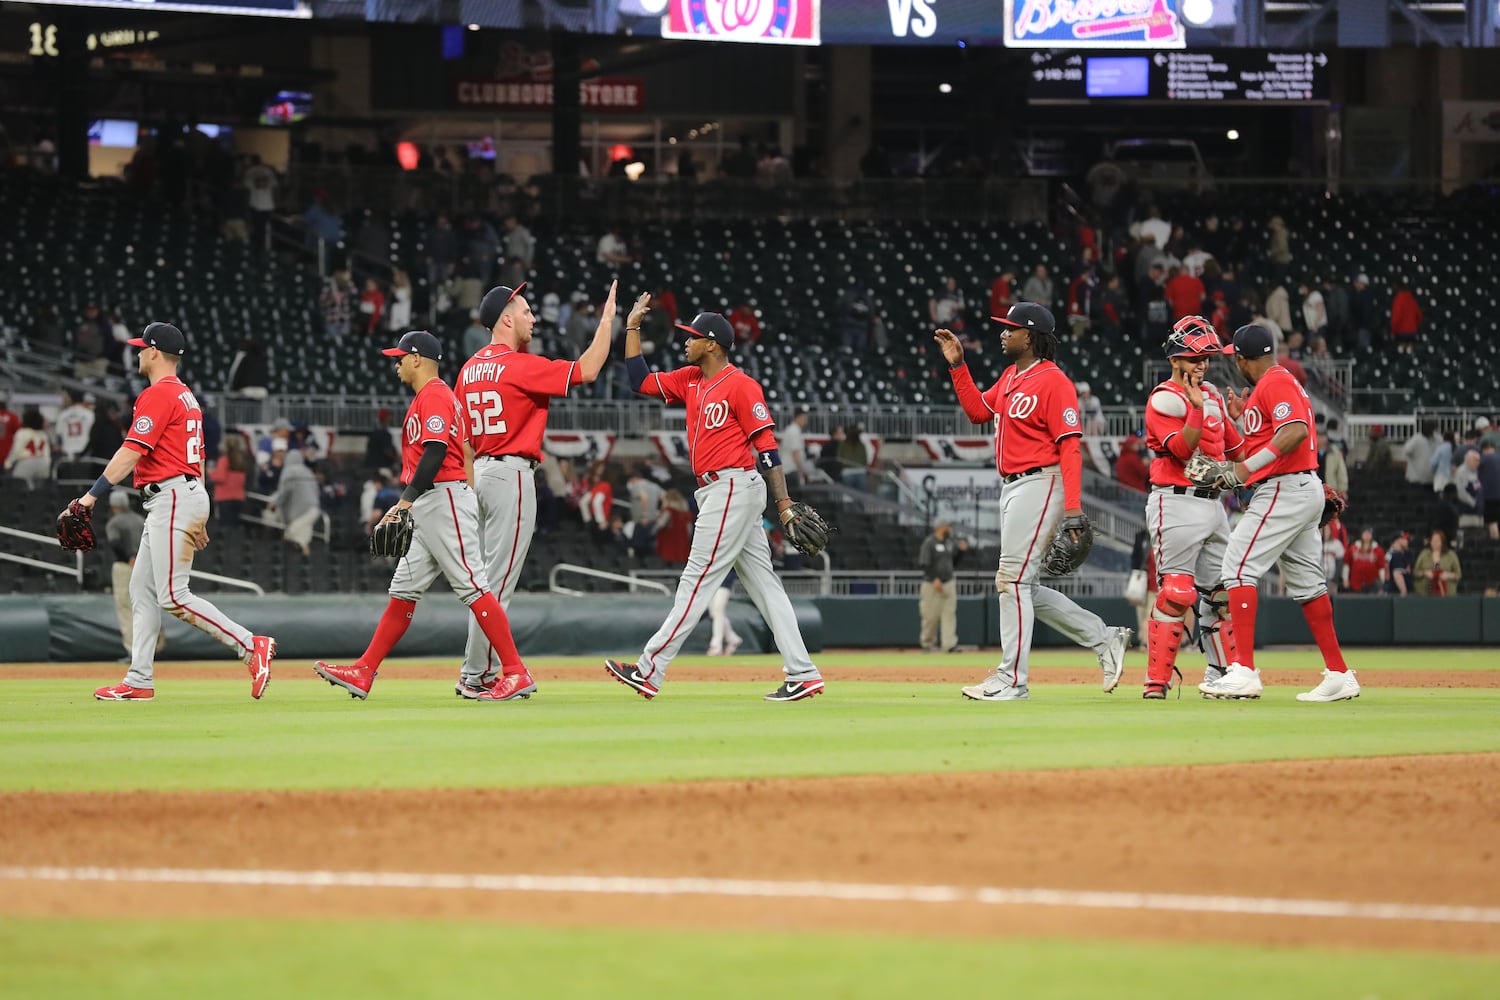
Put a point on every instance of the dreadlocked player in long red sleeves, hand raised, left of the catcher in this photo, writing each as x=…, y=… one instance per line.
x=1037, y=430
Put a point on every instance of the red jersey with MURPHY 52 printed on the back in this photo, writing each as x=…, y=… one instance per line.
x=506, y=397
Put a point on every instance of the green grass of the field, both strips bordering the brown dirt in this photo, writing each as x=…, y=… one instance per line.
x=415, y=734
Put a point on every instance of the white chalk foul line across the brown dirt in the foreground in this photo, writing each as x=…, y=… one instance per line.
x=769, y=890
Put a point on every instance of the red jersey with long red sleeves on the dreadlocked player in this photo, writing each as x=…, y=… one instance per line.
x=1034, y=412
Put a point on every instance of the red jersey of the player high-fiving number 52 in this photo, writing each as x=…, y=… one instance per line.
x=724, y=415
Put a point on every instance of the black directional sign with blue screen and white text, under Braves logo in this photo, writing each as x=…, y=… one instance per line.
x=1223, y=76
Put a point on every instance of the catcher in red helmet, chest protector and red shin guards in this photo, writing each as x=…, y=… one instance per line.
x=1187, y=524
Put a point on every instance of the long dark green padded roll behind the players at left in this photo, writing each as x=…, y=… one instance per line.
x=340, y=627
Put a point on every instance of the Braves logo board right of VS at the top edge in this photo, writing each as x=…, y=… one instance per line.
x=1099, y=25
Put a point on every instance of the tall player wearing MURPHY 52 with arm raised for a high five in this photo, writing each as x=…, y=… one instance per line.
x=506, y=394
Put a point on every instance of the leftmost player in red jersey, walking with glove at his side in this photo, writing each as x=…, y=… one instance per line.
x=164, y=449
